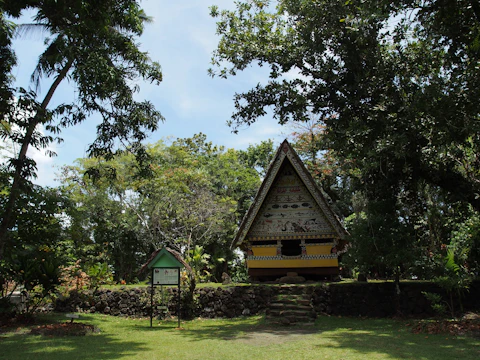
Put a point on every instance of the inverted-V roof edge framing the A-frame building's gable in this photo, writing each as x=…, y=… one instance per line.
x=286, y=153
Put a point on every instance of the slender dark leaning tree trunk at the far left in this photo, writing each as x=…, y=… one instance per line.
x=8, y=219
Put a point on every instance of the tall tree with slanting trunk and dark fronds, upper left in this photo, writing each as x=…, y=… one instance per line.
x=91, y=44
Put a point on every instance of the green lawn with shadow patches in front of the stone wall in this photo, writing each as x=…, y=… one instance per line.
x=247, y=338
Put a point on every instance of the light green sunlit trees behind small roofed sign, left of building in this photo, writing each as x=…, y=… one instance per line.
x=196, y=196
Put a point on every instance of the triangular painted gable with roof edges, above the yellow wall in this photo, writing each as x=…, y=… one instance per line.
x=289, y=192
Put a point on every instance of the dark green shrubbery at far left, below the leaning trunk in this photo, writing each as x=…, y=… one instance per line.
x=37, y=247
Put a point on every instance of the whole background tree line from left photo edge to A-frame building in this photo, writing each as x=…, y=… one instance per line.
x=108, y=220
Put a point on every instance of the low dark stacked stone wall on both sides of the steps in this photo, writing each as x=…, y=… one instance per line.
x=346, y=299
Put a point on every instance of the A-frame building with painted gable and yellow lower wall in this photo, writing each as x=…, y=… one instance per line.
x=290, y=227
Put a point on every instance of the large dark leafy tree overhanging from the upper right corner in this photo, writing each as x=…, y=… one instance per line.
x=396, y=82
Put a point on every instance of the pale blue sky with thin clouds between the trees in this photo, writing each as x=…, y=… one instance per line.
x=182, y=39
